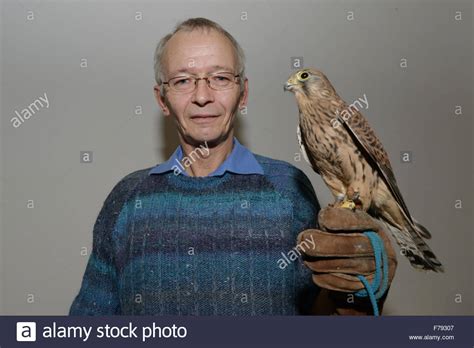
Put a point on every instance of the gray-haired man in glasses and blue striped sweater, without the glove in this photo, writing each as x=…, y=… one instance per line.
x=204, y=233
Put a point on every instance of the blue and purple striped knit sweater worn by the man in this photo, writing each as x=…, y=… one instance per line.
x=178, y=245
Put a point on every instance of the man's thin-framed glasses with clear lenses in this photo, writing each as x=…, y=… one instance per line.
x=218, y=81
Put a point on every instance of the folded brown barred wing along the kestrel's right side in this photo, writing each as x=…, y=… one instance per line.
x=365, y=139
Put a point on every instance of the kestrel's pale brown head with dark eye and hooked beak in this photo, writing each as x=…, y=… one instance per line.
x=310, y=83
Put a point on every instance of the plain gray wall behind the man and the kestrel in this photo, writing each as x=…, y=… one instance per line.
x=93, y=109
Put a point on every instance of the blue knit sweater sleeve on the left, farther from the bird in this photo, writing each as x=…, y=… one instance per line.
x=98, y=294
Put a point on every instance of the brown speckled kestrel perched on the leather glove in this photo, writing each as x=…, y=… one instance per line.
x=340, y=145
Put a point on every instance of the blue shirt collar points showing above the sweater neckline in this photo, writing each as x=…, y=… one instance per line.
x=240, y=161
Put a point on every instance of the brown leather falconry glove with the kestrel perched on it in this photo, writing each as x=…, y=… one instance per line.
x=340, y=253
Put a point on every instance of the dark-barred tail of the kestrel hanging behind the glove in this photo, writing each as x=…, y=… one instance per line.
x=415, y=248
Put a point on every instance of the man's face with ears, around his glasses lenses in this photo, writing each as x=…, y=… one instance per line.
x=200, y=53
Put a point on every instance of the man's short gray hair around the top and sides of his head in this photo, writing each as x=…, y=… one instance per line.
x=190, y=25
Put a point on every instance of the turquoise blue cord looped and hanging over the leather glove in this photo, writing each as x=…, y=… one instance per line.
x=379, y=253
